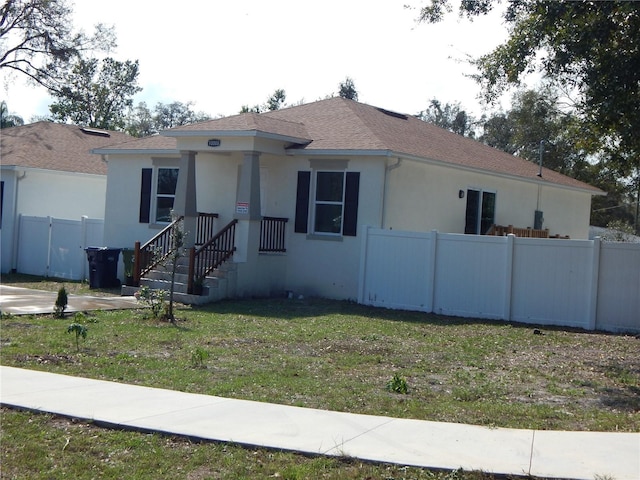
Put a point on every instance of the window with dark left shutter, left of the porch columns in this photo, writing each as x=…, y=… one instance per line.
x=159, y=194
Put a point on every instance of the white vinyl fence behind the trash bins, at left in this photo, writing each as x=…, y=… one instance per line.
x=54, y=247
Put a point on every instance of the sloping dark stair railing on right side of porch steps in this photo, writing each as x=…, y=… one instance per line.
x=212, y=254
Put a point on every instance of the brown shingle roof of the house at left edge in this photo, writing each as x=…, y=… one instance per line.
x=56, y=146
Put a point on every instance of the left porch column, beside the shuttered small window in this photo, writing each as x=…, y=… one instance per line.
x=185, y=201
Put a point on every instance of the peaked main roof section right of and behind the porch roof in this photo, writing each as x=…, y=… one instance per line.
x=341, y=124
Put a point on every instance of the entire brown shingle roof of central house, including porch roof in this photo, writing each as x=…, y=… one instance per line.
x=339, y=126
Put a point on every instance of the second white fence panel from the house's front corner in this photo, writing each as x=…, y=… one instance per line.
x=470, y=276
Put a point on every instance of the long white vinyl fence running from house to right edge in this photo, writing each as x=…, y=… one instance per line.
x=576, y=283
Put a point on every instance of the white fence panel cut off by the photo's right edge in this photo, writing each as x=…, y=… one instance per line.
x=618, y=304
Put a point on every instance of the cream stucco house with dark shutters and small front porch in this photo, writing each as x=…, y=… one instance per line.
x=328, y=168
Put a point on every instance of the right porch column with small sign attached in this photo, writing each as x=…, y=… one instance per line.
x=247, y=209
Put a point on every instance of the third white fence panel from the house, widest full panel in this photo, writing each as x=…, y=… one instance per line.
x=552, y=281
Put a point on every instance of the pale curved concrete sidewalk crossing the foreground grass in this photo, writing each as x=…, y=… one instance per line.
x=575, y=455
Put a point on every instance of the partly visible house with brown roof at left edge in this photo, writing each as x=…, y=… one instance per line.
x=48, y=171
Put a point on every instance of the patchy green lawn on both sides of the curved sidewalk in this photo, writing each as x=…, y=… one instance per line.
x=337, y=356
